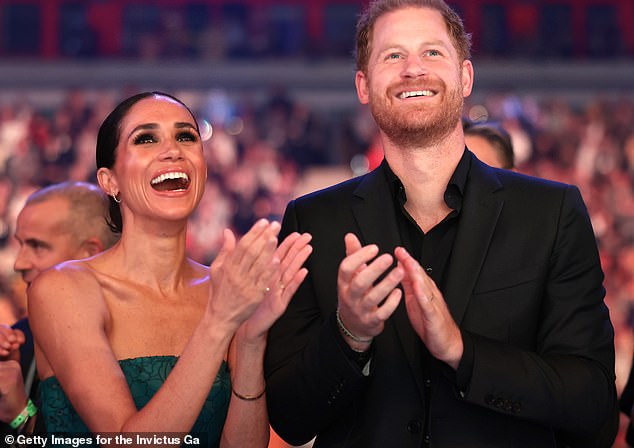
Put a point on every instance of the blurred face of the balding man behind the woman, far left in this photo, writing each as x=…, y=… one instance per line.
x=44, y=240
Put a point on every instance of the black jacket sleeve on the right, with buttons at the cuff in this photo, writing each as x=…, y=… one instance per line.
x=567, y=381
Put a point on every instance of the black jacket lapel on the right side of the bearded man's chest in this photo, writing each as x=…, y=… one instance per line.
x=480, y=211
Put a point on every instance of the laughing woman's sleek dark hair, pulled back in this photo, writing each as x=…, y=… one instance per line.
x=108, y=140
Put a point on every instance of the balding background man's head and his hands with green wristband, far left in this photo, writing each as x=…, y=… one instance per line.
x=61, y=222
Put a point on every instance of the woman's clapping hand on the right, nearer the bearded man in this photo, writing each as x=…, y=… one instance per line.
x=293, y=252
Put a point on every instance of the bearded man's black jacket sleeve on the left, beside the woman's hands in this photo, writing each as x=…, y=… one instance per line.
x=311, y=381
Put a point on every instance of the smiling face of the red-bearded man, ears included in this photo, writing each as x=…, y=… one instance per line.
x=415, y=83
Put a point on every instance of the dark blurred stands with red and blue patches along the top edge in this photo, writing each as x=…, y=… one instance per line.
x=251, y=29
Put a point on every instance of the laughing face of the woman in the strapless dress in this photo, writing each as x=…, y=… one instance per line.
x=160, y=169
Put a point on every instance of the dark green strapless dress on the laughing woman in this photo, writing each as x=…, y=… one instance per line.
x=145, y=376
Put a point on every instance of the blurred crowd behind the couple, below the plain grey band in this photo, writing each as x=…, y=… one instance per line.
x=260, y=154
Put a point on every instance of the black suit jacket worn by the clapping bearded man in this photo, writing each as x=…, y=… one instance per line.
x=524, y=284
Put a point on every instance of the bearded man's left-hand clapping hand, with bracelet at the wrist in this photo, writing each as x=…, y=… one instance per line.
x=363, y=305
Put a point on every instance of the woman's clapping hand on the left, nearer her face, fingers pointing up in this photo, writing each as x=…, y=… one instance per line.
x=242, y=273
